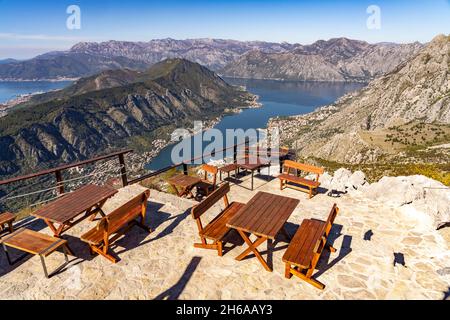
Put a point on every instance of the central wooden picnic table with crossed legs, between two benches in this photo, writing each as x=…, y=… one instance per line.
x=264, y=216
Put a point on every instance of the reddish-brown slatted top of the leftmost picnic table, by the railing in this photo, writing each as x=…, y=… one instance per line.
x=75, y=203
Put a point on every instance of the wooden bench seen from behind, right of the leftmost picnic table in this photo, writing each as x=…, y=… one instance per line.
x=116, y=224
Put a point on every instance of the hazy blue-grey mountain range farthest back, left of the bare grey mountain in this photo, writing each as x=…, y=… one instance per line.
x=88, y=58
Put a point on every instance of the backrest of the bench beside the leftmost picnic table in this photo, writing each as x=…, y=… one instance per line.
x=124, y=214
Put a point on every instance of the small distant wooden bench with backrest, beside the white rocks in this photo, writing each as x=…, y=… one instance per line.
x=290, y=171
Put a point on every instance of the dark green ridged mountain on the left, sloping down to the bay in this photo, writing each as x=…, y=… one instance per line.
x=88, y=123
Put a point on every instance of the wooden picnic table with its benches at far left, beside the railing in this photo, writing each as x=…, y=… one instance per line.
x=69, y=210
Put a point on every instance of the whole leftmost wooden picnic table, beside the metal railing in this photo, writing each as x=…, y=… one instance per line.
x=82, y=203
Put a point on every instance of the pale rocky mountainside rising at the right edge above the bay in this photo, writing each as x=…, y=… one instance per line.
x=399, y=115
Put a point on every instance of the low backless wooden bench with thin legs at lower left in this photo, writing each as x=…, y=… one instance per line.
x=36, y=243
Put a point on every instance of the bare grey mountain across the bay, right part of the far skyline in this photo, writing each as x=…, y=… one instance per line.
x=333, y=60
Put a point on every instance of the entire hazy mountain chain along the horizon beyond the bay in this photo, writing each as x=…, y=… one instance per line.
x=338, y=59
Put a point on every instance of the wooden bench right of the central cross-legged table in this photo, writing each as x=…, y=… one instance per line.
x=305, y=248
